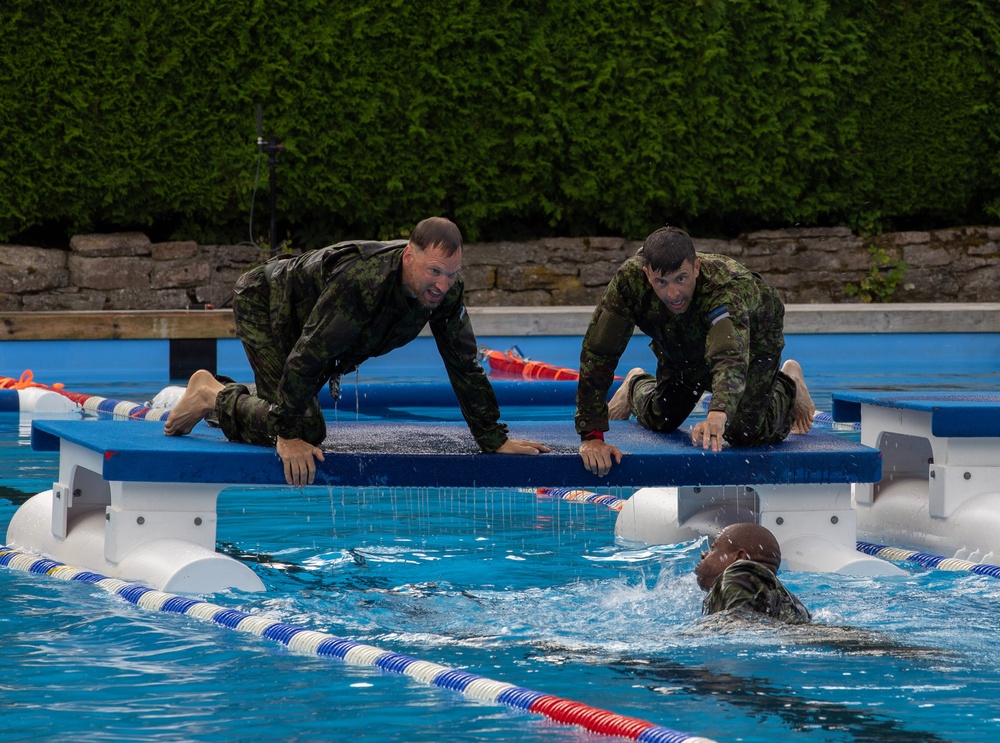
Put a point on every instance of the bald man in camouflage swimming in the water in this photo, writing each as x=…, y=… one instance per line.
x=740, y=574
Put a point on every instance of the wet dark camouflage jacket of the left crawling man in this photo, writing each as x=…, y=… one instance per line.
x=335, y=307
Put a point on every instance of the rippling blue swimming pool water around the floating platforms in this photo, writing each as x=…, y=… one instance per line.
x=513, y=587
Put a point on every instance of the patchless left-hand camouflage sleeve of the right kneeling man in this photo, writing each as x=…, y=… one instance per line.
x=605, y=341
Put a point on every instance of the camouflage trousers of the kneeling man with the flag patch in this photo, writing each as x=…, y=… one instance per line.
x=764, y=415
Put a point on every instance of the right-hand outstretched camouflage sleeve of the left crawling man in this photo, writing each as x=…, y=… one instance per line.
x=456, y=343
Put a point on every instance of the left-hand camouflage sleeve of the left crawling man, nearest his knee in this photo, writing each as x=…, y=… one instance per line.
x=337, y=319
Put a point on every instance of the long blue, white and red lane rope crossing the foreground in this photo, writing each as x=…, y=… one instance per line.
x=593, y=719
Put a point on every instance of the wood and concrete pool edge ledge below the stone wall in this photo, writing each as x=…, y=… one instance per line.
x=980, y=317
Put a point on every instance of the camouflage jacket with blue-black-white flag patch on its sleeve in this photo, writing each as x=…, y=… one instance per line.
x=734, y=317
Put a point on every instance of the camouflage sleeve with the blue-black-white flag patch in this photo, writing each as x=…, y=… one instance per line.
x=727, y=351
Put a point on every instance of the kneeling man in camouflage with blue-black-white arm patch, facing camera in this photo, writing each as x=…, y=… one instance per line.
x=714, y=326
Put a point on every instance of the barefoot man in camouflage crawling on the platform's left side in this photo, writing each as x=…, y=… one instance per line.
x=308, y=320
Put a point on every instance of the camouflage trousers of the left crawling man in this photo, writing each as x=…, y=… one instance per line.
x=244, y=413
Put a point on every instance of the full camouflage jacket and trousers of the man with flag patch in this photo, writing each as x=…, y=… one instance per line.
x=728, y=342
